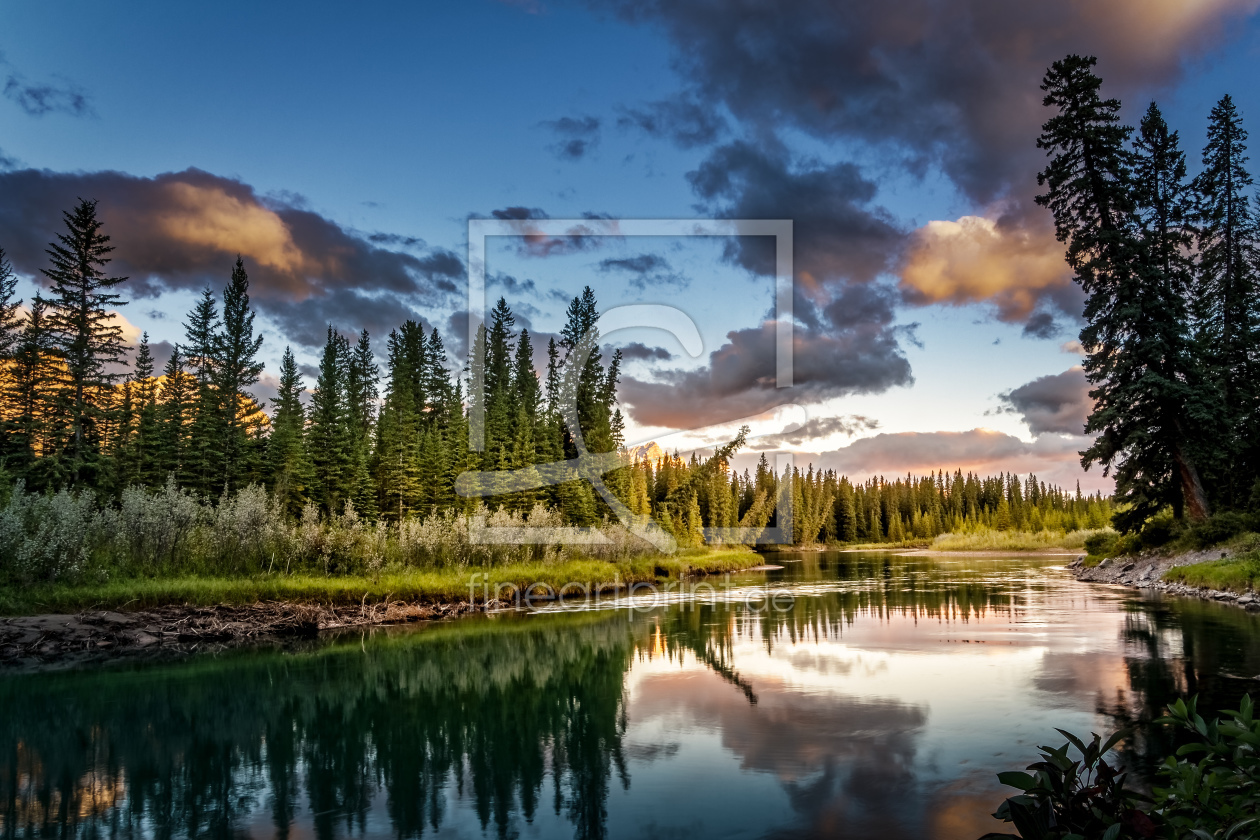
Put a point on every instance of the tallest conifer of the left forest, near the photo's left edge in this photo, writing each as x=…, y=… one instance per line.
x=91, y=343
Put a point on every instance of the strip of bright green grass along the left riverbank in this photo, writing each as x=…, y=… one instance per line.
x=424, y=586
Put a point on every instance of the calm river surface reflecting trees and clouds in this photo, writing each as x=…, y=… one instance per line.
x=880, y=703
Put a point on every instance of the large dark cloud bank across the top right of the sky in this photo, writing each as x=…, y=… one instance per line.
x=949, y=84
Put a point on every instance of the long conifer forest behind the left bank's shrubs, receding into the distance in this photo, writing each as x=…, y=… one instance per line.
x=77, y=417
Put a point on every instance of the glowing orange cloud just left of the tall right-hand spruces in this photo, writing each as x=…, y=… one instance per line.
x=976, y=260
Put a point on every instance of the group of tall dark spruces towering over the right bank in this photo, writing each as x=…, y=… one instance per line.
x=1171, y=270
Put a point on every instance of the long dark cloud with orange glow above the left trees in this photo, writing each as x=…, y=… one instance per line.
x=185, y=231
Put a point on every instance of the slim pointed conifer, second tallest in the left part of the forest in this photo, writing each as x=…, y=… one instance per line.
x=236, y=368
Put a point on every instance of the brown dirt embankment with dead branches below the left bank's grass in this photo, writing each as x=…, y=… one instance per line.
x=67, y=640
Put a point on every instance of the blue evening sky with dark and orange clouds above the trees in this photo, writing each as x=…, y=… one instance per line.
x=342, y=153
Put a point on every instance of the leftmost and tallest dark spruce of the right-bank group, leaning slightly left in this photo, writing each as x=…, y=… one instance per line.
x=1133, y=336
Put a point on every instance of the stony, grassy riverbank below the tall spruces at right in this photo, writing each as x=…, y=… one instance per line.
x=1210, y=575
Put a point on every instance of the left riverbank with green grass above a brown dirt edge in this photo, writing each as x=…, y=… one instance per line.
x=66, y=627
